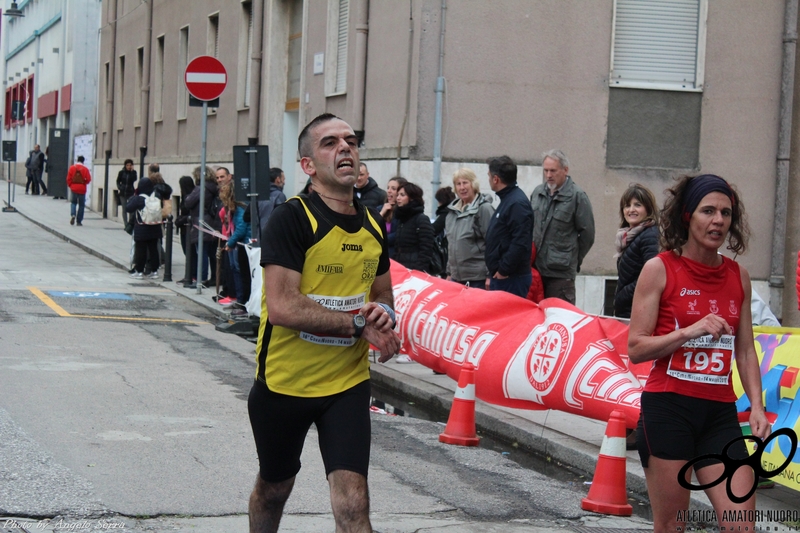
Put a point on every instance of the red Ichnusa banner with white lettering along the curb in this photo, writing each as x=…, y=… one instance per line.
x=527, y=356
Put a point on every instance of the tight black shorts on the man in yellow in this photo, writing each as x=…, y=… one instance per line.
x=280, y=424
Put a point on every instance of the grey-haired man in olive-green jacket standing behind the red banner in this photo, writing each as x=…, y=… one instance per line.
x=564, y=227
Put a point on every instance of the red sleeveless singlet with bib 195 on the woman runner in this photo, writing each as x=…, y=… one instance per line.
x=701, y=368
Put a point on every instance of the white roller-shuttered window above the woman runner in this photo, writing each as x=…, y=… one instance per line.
x=658, y=44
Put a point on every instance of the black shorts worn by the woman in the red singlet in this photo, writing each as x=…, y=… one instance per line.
x=677, y=427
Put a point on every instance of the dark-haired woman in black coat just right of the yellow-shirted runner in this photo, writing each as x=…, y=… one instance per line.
x=413, y=246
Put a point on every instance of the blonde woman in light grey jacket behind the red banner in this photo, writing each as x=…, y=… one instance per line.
x=467, y=223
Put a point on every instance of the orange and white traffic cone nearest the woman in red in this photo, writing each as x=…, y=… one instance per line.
x=608, y=493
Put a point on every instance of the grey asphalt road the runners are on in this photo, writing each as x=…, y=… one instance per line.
x=121, y=404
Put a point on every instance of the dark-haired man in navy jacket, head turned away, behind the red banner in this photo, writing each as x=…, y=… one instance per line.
x=510, y=233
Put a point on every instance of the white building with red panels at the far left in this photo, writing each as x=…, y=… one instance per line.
x=50, y=64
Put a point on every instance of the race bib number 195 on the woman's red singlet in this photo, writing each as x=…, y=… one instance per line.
x=703, y=360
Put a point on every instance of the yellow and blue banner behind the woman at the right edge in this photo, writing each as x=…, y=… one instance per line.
x=778, y=350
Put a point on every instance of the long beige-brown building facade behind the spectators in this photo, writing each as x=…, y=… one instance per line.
x=632, y=90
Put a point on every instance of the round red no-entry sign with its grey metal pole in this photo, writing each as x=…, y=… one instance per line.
x=205, y=78
